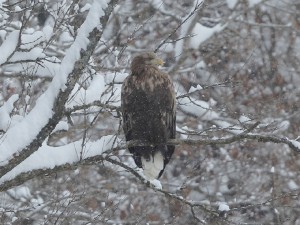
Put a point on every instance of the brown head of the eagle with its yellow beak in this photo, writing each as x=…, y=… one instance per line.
x=140, y=62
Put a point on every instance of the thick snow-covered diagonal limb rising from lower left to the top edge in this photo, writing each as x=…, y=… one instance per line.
x=23, y=139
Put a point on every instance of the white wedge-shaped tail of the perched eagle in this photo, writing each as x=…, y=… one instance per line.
x=153, y=165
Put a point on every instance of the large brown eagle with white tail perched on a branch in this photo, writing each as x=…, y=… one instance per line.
x=148, y=107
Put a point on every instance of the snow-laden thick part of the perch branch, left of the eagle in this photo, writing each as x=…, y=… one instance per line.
x=48, y=160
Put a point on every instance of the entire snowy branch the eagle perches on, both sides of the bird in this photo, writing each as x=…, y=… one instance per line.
x=100, y=150
